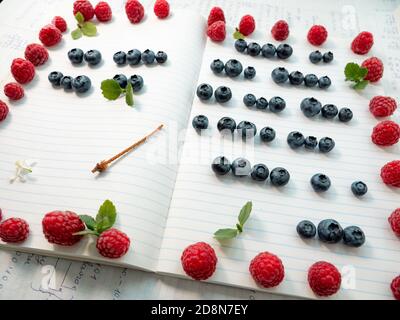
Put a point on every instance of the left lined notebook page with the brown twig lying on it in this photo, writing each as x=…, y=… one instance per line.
x=68, y=135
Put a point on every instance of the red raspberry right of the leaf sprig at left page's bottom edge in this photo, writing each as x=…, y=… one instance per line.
x=113, y=243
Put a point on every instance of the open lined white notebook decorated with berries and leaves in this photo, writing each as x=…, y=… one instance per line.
x=167, y=199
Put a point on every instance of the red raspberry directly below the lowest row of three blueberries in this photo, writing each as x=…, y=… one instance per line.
x=324, y=278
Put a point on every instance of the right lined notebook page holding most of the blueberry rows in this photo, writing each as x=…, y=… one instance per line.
x=203, y=202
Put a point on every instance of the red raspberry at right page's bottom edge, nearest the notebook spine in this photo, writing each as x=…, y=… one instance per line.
x=199, y=261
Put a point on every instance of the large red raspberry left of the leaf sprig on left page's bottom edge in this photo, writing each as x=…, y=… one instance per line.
x=59, y=227
